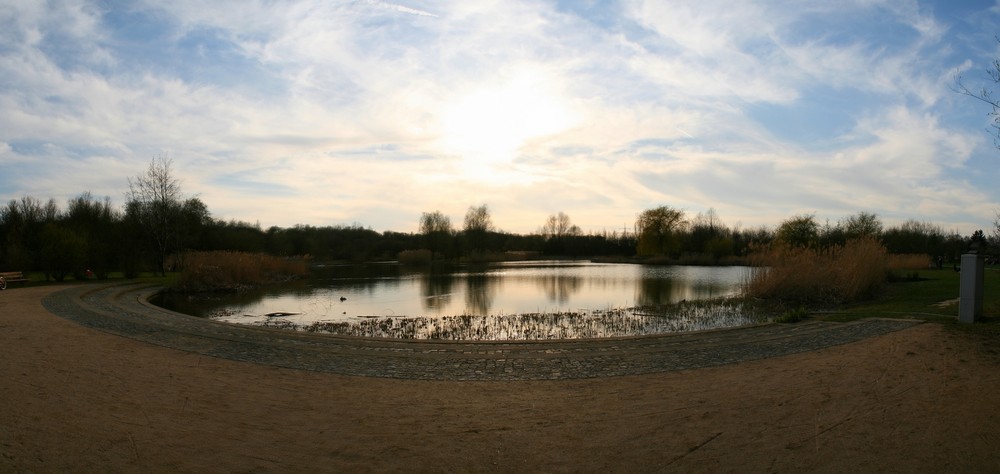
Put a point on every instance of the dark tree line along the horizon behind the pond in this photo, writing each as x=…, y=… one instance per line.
x=91, y=237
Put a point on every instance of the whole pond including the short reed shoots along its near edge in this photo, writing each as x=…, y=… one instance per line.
x=390, y=300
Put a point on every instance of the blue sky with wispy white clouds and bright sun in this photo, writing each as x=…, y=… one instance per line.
x=370, y=113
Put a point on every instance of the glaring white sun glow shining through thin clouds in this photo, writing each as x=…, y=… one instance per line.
x=488, y=125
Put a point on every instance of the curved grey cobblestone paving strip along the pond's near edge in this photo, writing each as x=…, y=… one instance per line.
x=123, y=309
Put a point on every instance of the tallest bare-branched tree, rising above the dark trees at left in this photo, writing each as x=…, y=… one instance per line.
x=154, y=203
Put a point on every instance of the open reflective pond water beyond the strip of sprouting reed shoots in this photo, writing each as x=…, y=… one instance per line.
x=387, y=290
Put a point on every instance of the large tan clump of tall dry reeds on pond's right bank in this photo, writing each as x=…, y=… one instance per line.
x=800, y=275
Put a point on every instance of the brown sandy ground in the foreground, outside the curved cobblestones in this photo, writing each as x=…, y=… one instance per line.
x=73, y=399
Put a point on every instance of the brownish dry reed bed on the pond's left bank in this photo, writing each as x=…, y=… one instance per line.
x=234, y=271
